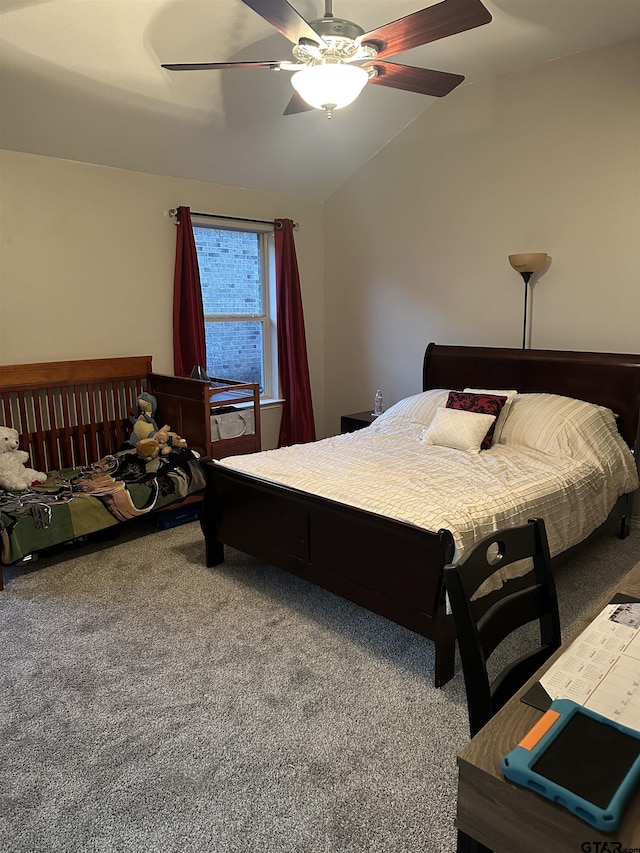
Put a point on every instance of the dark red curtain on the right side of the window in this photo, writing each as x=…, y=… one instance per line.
x=297, y=426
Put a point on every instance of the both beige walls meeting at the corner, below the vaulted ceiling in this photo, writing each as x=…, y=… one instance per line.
x=414, y=246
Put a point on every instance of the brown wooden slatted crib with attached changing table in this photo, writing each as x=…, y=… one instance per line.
x=70, y=414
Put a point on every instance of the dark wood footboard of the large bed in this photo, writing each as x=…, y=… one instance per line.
x=389, y=567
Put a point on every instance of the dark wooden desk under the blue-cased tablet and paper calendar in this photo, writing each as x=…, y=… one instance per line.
x=510, y=819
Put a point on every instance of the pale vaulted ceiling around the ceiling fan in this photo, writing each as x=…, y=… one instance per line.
x=82, y=80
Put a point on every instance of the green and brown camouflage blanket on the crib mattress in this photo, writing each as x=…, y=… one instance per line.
x=75, y=502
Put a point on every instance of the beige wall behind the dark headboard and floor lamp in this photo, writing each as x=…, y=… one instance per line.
x=416, y=243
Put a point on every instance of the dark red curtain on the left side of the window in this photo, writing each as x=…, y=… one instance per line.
x=189, y=347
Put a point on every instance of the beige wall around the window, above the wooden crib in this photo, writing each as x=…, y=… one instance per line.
x=87, y=258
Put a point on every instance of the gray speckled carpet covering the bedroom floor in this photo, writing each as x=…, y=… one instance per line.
x=148, y=703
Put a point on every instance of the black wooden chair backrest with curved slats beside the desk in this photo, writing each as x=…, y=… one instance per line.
x=483, y=622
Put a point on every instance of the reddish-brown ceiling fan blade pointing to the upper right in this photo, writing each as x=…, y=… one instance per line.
x=435, y=22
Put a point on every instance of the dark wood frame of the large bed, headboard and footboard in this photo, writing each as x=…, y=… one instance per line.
x=390, y=567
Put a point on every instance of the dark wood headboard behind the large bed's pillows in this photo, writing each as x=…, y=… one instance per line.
x=608, y=379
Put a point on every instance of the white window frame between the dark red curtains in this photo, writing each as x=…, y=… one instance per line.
x=266, y=241
